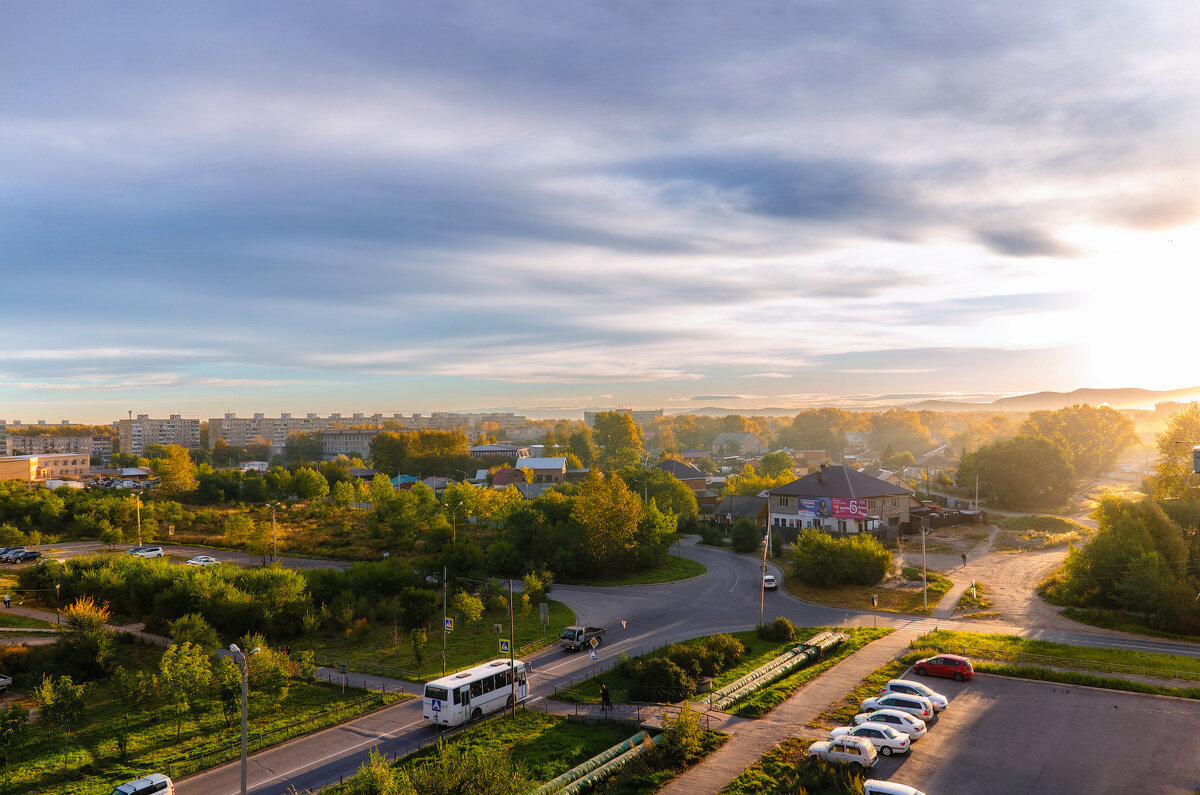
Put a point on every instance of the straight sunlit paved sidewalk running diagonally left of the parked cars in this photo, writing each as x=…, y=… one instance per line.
x=751, y=740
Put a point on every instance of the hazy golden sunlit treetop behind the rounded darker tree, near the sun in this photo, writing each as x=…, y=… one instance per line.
x=1094, y=439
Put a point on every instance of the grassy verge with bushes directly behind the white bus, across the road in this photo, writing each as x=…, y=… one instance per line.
x=382, y=650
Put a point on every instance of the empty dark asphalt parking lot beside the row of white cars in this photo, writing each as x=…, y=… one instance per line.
x=1004, y=736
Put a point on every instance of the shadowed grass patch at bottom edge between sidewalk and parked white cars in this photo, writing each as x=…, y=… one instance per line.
x=784, y=770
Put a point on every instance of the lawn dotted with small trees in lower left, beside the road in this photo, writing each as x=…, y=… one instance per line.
x=93, y=762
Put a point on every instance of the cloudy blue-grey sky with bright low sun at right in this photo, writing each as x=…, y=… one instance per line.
x=398, y=207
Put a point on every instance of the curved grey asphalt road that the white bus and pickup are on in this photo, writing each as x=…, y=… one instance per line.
x=639, y=619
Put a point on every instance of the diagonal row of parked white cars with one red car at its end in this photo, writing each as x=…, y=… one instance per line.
x=892, y=721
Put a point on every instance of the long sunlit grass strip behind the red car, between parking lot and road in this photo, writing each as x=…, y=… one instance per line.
x=1022, y=651
